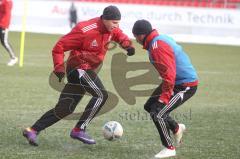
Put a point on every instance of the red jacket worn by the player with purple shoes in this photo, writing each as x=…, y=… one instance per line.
x=88, y=43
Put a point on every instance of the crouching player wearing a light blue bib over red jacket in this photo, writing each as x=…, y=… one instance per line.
x=179, y=82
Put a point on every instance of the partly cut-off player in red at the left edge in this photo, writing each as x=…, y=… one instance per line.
x=5, y=18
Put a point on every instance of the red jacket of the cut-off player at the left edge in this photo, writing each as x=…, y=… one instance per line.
x=5, y=13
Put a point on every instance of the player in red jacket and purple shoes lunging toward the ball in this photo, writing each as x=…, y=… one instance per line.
x=87, y=43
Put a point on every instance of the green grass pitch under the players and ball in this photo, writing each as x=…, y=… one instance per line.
x=211, y=116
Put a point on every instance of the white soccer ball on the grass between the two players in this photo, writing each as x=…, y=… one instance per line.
x=112, y=130
